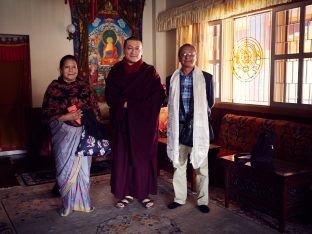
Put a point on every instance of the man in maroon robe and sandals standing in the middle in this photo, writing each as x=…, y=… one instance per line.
x=134, y=94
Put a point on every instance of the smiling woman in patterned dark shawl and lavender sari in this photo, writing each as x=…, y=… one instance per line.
x=64, y=101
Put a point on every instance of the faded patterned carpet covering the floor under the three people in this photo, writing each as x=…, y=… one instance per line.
x=33, y=209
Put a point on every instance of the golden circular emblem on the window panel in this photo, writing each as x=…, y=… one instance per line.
x=247, y=59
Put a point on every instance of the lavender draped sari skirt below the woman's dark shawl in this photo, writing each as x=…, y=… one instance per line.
x=72, y=171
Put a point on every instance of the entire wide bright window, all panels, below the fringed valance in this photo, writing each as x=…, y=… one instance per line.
x=260, y=58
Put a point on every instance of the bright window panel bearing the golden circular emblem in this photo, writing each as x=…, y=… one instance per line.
x=250, y=59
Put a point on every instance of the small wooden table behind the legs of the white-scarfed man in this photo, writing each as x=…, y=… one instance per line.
x=164, y=162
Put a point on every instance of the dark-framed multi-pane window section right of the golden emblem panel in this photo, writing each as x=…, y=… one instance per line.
x=292, y=54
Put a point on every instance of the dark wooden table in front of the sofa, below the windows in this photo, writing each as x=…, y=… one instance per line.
x=281, y=189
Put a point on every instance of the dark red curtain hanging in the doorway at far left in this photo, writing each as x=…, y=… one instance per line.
x=15, y=98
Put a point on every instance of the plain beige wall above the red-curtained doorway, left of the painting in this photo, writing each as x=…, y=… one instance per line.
x=45, y=22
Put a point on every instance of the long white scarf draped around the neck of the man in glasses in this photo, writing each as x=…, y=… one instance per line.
x=200, y=129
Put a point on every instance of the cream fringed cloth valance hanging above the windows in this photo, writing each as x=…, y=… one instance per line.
x=203, y=11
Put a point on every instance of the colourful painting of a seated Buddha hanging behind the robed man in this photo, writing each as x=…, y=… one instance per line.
x=106, y=37
